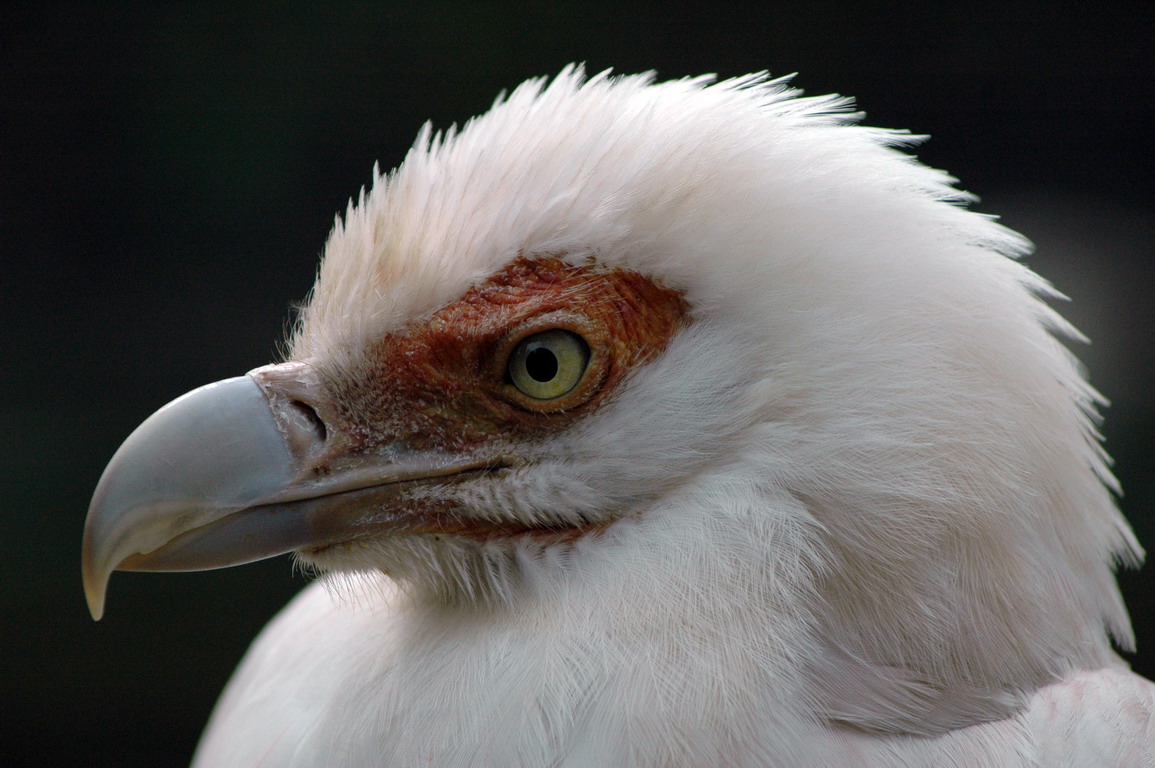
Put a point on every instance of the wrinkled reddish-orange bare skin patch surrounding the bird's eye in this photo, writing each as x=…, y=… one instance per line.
x=442, y=384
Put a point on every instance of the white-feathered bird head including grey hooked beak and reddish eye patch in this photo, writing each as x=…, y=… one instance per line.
x=714, y=347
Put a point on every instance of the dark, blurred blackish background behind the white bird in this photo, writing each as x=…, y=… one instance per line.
x=168, y=177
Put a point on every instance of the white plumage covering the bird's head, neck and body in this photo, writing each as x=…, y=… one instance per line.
x=868, y=519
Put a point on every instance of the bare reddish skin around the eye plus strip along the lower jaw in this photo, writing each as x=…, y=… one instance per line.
x=441, y=385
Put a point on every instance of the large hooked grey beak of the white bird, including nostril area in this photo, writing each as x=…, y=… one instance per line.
x=242, y=471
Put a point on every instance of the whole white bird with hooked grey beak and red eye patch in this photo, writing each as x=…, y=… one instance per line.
x=652, y=423
